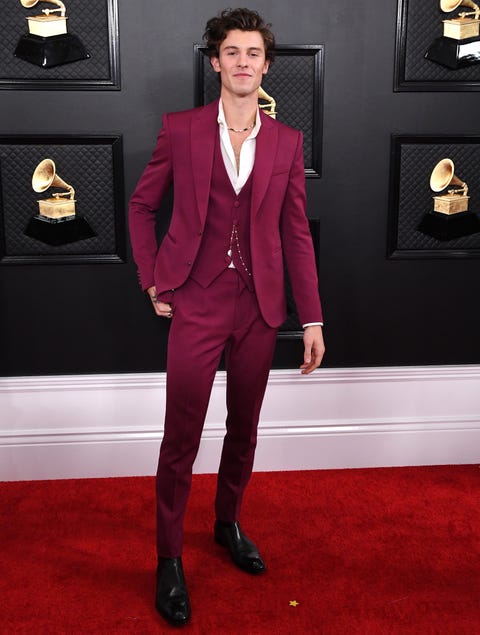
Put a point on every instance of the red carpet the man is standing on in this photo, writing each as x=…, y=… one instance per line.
x=360, y=551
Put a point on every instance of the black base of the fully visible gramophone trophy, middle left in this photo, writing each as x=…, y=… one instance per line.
x=58, y=232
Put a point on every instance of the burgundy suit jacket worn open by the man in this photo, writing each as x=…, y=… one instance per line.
x=280, y=233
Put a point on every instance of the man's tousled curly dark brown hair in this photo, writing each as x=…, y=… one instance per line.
x=242, y=19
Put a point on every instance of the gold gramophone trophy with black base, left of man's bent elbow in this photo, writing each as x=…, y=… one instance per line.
x=56, y=222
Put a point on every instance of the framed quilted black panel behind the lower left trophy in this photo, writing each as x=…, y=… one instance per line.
x=89, y=168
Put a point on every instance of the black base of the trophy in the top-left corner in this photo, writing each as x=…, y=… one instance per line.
x=50, y=51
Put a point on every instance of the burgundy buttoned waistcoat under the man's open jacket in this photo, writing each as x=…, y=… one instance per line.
x=226, y=210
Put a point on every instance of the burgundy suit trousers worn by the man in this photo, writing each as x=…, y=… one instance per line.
x=207, y=322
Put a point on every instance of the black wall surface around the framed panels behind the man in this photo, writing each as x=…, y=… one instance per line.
x=92, y=318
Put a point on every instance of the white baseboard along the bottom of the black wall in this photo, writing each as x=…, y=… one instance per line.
x=111, y=425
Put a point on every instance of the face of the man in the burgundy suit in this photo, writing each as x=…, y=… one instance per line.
x=241, y=62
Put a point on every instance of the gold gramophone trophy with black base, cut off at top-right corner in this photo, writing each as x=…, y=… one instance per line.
x=459, y=46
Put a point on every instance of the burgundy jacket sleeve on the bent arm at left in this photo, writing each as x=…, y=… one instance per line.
x=145, y=202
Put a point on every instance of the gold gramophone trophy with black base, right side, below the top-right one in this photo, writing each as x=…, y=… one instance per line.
x=450, y=217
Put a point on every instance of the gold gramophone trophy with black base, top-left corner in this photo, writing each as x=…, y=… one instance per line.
x=48, y=42
